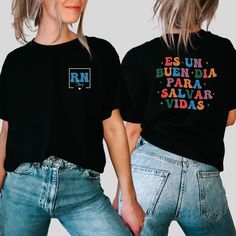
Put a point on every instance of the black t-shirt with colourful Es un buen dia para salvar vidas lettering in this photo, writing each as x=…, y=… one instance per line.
x=181, y=99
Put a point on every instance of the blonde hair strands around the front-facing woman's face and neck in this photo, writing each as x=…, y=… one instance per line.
x=26, y=11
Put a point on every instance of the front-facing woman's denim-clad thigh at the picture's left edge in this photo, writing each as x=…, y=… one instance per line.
x=19, y=211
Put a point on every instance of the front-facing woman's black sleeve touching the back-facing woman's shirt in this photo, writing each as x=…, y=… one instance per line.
x=113, y=82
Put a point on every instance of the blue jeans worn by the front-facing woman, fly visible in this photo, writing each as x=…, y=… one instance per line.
x=36, y=192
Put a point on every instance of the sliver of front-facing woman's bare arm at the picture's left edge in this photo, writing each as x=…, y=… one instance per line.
x=3, y=140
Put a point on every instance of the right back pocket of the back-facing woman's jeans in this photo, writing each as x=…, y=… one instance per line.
x=213, y=202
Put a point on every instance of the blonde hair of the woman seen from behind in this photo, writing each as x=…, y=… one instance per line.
x=183, y=15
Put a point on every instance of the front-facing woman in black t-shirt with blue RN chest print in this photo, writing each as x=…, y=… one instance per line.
x=57, y=99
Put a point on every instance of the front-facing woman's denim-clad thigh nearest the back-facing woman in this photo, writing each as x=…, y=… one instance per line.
x=83, y=209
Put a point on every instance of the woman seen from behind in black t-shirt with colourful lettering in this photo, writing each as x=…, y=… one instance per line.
x=180, y=99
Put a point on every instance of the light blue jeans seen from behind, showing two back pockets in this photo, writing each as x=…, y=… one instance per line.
x=171, y=187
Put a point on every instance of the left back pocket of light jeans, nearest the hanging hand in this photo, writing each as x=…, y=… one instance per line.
x=148, y=184
